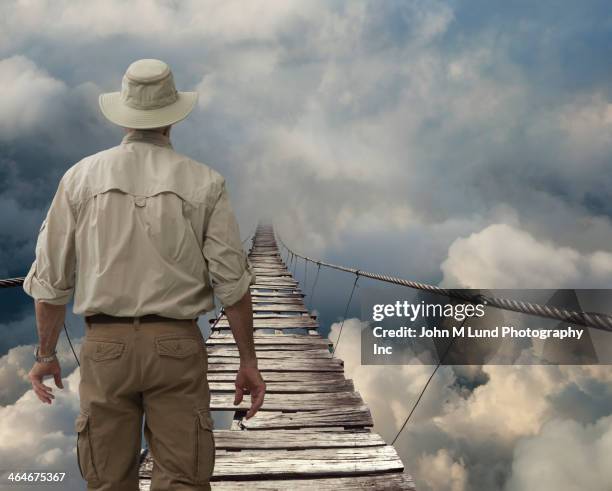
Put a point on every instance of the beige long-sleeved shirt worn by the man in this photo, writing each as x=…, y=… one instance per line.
x=140, y=229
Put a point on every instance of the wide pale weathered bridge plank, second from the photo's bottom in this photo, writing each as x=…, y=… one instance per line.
x=299, y=463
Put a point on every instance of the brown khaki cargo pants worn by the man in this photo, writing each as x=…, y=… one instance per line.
x=155, y=369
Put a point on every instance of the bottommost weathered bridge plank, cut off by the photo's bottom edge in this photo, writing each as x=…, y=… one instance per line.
x=394, y=481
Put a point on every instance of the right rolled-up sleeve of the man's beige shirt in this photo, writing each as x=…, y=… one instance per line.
x=228, y=266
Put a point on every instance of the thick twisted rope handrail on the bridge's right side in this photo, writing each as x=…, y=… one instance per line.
x=590, y=319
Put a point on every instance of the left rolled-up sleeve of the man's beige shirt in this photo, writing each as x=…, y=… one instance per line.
x=52, y=276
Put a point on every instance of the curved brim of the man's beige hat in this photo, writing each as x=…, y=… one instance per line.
x=117, y=112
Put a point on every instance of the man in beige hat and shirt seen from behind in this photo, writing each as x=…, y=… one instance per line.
x=142, y=237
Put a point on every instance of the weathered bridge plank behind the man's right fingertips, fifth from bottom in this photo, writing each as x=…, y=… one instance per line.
x=220, y=401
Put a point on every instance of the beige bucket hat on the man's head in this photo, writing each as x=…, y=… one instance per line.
x=148, y=98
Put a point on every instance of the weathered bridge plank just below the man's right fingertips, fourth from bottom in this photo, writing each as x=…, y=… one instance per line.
x=345, y=417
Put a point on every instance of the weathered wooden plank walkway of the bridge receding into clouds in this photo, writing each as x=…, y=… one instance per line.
x=313, y=430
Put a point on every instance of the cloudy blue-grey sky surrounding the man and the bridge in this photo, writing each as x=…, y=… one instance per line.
x=458, y=143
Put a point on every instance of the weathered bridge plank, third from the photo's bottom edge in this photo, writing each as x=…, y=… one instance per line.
x=297, y=439
